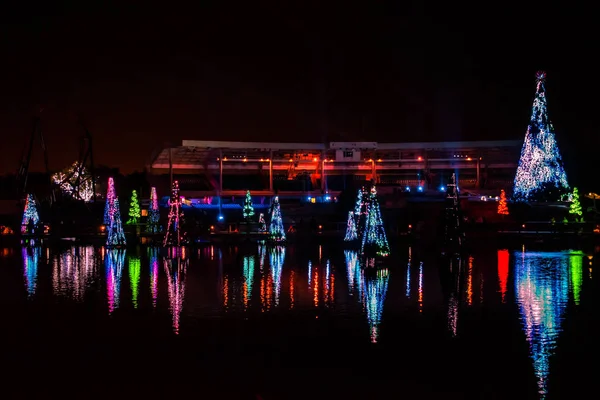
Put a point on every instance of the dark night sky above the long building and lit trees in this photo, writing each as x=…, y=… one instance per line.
x=387, y=71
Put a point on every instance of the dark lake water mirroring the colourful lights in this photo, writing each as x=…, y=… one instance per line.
x=297, y=322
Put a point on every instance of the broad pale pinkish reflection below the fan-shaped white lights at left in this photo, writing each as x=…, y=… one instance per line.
x=72, y=272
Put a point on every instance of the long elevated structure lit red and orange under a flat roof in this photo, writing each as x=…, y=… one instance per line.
x=217, y=168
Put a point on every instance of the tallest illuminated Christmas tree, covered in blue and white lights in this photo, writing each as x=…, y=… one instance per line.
x=540, y=169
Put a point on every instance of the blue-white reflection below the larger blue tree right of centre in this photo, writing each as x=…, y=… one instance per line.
x=376, y=286
